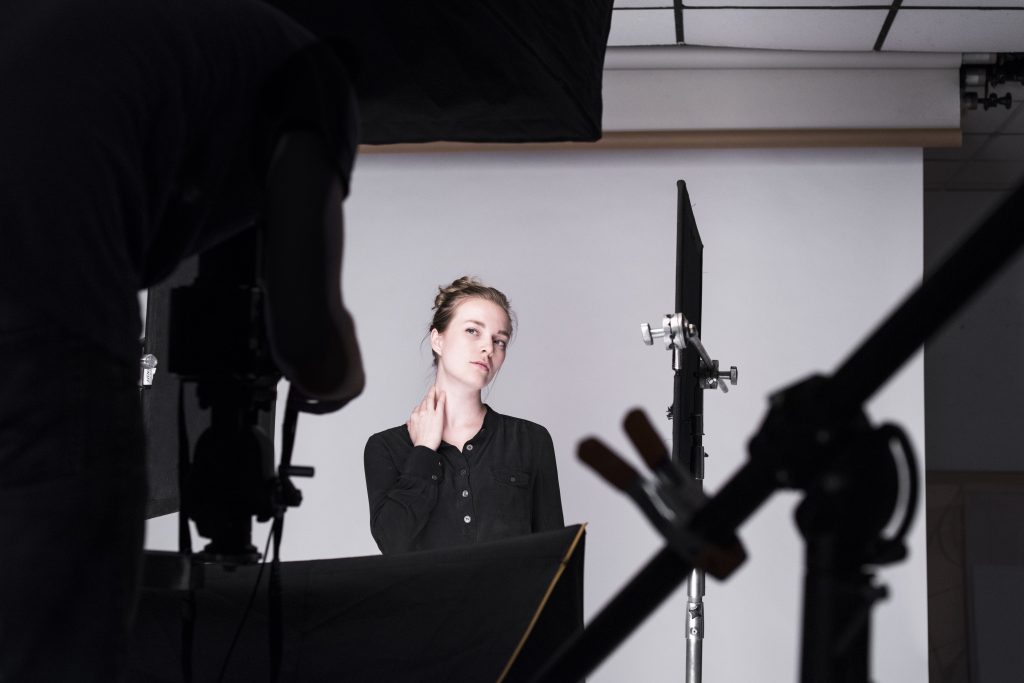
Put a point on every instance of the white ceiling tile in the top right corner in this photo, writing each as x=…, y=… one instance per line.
x=957, y=31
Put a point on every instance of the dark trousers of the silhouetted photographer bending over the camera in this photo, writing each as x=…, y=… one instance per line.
x=72, y=502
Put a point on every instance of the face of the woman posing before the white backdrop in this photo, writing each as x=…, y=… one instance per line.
x=472, y=351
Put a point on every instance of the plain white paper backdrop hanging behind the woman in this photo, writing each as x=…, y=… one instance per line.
x=805, y=251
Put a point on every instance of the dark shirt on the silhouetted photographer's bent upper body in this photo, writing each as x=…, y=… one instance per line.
x=134, y=135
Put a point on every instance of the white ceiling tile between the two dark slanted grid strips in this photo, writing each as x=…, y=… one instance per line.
x=784, y=29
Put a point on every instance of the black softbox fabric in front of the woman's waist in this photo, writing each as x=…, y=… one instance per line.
x=455, y=615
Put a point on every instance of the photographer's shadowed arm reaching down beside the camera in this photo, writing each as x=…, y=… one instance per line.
x=312, y=334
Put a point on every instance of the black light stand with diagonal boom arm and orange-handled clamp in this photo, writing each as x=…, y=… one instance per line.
x=810, y=441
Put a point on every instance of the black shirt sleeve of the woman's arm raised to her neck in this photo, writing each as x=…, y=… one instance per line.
x=402, y=487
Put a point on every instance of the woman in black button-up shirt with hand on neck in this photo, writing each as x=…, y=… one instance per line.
x=458, y=473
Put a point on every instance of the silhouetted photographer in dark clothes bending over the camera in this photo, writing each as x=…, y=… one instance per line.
x=135, y=134
